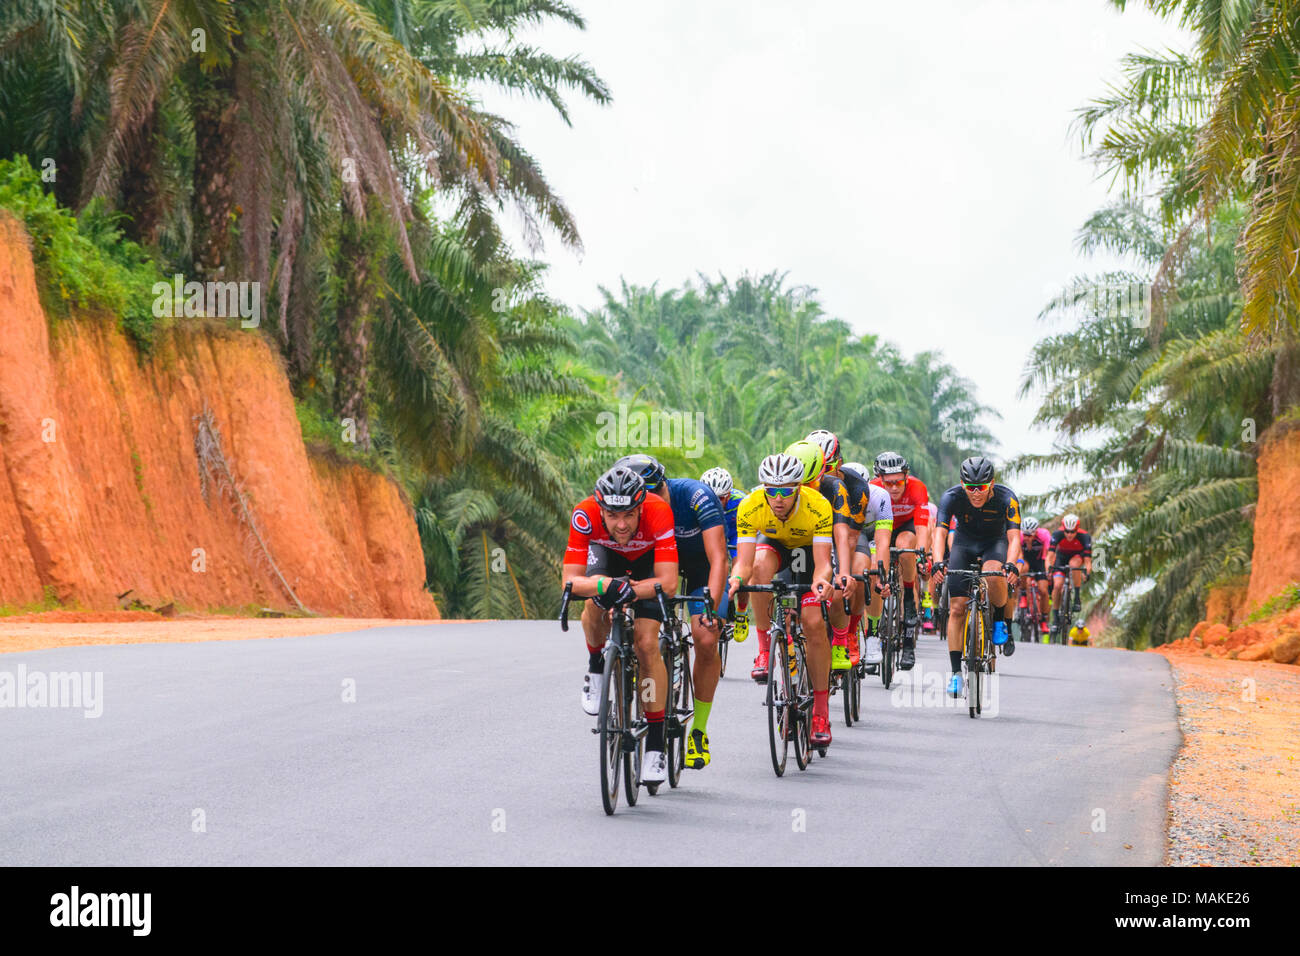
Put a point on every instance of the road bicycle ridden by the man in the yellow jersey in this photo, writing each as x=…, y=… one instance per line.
x=790, y=686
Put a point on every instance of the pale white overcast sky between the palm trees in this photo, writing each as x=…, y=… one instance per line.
x=913, y=163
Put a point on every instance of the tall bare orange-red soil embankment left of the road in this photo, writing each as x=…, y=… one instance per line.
x=101, y=482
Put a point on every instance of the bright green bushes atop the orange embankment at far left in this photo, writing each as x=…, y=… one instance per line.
x=83, y=262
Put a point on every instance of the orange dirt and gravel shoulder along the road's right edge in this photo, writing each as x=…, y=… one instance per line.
x=1234, y=789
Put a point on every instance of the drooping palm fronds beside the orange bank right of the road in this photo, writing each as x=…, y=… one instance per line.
x=1155, y=422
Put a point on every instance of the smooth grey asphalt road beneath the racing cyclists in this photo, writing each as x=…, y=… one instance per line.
x=466, y=745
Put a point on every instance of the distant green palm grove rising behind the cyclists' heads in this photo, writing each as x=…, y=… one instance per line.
x=764, y=366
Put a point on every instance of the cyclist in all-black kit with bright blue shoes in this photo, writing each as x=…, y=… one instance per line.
x=989, y=530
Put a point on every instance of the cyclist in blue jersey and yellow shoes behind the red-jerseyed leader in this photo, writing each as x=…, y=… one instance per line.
x=703, y=561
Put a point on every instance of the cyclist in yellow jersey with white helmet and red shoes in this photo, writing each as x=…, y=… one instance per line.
x=777, y=527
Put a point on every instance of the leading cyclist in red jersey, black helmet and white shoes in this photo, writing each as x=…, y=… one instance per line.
x=621, y=546
